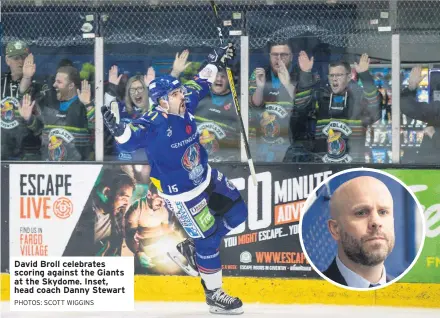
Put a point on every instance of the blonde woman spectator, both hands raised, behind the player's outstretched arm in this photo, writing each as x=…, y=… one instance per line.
x=134, y=104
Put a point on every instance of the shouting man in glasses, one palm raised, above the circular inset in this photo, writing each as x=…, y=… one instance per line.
x=344, y=110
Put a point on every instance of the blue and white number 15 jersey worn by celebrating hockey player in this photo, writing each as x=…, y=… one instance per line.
x=179, y=163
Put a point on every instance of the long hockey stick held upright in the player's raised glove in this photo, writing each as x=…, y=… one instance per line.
x=234, y=97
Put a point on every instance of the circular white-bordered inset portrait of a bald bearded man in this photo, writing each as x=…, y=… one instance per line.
x=362, y=229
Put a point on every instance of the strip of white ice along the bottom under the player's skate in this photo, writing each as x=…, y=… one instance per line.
x=169, y=309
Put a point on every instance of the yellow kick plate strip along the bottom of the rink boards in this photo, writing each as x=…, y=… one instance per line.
x=279, y=291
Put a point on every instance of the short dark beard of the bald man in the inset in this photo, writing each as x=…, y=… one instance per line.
x=356, y=253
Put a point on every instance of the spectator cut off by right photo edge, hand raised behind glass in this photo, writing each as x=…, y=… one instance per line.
x=429, y=152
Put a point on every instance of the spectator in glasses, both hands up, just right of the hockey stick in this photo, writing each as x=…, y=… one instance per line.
x=275, y=93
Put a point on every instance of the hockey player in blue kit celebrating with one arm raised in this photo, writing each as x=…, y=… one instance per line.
x=205, y=202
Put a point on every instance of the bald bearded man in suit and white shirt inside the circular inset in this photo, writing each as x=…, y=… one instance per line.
x=362, y=224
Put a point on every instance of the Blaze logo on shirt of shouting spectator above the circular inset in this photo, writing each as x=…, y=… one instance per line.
x=337, y=133
